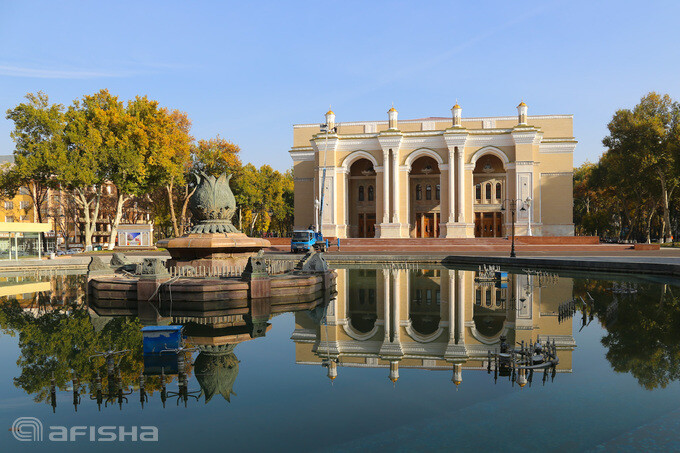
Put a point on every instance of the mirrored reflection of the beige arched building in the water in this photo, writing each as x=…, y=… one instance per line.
x=436, y=319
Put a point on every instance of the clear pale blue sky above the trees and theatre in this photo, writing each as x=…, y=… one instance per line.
x=248, y=71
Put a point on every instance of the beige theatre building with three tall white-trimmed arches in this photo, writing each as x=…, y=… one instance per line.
x=436, y=177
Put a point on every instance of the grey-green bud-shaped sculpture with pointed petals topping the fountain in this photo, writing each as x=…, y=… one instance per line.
x=213, y=205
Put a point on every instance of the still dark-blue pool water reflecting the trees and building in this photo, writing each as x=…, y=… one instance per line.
x=398, y=358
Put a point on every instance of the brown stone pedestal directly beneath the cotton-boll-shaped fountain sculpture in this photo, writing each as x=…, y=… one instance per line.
x=212, y=250
